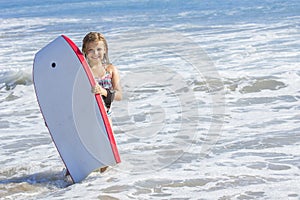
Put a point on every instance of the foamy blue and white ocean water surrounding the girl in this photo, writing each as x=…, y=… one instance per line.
x=211, y=106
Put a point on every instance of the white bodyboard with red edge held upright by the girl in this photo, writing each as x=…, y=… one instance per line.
x=76, y=118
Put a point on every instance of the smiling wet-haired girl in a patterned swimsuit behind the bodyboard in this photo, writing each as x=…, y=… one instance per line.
x=95, y=50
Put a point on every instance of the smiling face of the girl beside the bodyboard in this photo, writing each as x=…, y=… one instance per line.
x=95, y=52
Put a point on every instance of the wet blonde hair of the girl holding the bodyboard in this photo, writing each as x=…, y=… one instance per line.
x=95, y=37
